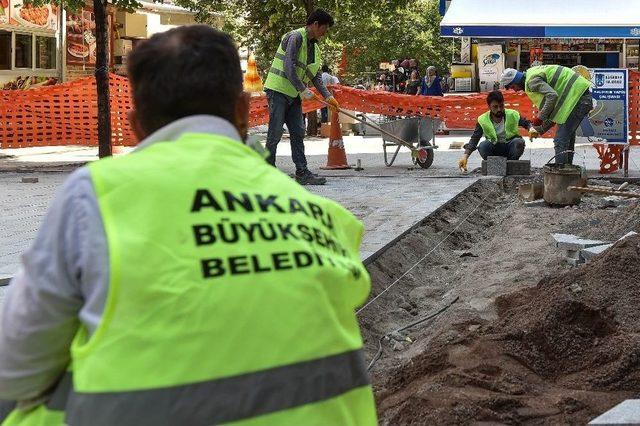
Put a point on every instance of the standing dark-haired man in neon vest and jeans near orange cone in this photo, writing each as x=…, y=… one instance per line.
x=296, y=64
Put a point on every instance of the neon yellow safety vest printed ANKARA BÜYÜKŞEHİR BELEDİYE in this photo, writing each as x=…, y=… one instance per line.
x=232, y=295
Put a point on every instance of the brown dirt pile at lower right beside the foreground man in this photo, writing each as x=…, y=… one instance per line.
x=559, y=353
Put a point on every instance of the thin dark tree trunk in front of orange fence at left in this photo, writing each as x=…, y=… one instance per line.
x=102, y=78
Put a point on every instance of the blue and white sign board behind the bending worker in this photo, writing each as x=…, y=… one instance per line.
x=610, y=116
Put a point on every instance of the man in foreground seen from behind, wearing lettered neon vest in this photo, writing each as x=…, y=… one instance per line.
x=189, y=282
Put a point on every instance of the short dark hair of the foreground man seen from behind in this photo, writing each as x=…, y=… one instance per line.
x=185, y=71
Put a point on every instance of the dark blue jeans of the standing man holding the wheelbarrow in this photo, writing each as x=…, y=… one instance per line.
x=285, y=110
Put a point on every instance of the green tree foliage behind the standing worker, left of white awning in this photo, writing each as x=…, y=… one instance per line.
x=370, y=31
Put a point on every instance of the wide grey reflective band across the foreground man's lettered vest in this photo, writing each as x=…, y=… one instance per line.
x=224, y=400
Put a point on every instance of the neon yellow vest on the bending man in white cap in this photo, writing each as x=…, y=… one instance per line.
x=568, y=84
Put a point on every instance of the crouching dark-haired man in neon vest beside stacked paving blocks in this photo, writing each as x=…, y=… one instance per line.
x=499, y=126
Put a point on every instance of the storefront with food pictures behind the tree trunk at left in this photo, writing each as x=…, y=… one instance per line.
x=36, y=50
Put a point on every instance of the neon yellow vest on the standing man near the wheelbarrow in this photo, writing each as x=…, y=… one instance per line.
x=277, y=79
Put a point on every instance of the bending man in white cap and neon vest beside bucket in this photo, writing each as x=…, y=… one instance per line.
x=562, y=97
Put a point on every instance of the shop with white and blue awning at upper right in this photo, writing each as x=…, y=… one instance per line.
x=593, y=33
